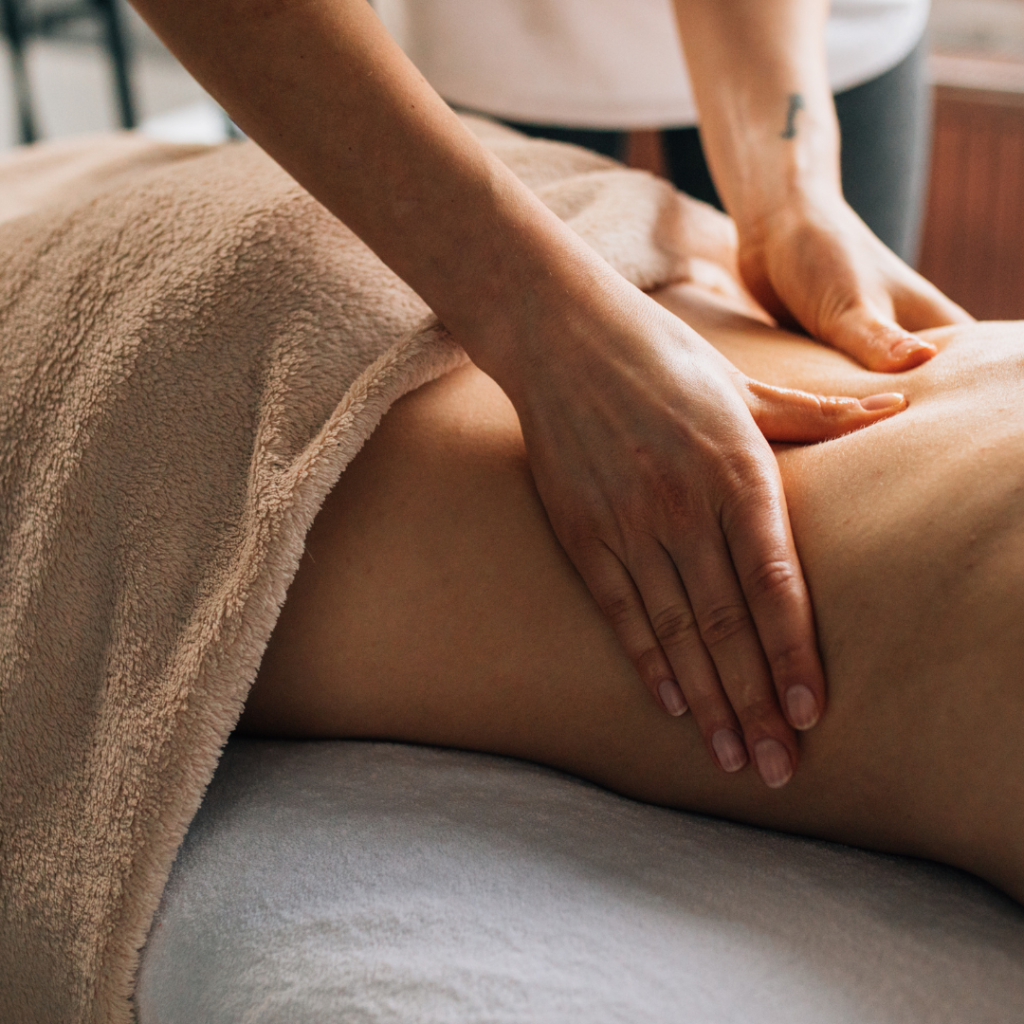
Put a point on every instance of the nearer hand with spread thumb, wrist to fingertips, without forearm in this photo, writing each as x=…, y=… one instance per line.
x=650, y=453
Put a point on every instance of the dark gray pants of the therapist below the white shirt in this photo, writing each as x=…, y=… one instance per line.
x=886, y=134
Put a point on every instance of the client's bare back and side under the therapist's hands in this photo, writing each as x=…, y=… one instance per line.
x=435, y=606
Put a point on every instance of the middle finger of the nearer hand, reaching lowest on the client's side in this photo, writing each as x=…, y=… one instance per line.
x=729, y=632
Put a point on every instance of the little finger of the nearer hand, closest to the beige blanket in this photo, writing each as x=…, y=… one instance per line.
x=617, y=596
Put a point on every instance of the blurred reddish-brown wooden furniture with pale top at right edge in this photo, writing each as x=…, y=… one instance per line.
x=973, y=245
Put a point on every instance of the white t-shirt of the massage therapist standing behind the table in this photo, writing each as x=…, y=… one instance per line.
x=607, y=64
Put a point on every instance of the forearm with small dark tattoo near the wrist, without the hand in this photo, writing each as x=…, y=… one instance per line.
x=767, y=119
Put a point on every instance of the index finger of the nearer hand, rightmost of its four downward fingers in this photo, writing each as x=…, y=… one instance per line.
x=757, y=530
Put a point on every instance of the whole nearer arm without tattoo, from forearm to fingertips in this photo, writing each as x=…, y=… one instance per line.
x=648, y=447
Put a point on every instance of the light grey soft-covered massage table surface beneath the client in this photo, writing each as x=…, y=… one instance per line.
x=374, y=883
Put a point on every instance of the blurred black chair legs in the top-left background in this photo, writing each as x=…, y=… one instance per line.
x=24, y=21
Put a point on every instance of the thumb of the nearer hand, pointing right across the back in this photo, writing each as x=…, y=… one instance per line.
x=787, y=415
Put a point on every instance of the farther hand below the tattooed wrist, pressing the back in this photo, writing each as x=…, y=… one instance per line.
x=817, y=264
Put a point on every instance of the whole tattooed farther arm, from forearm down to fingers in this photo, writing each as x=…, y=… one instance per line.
x=770, y=131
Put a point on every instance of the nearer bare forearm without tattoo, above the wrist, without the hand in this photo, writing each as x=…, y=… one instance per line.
x=323, y=89
